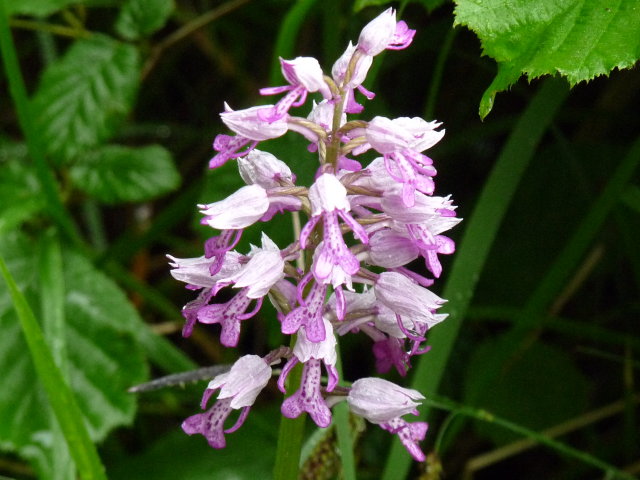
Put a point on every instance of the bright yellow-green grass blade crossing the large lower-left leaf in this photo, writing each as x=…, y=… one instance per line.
x=60, y=397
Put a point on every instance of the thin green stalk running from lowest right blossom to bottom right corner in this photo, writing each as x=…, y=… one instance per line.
x=559, y=447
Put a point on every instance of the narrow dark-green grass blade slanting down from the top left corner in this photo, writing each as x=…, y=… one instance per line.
x=19, y=94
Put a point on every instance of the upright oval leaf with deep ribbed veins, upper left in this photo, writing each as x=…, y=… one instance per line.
x=83, y=97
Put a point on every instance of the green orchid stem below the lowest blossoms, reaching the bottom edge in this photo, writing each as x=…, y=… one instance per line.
x=290, y=436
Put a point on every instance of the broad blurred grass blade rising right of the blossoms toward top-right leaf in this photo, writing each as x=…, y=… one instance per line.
x=479, y=235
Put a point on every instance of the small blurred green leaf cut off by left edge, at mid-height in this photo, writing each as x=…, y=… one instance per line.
x=20, y=195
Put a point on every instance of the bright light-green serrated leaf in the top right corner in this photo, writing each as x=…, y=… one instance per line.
x=577, y=39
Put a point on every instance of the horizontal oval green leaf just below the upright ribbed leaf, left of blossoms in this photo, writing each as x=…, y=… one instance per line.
x=114, y=173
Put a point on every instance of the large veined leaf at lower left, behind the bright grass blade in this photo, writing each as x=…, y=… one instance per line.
x=103, y=358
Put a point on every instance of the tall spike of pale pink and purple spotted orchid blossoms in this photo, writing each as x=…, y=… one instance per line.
x=365, y=287
